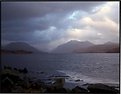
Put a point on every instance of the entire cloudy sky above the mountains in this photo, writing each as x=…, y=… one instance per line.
x=45, y=25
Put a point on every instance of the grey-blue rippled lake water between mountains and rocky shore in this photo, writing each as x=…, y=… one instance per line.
x=91, y=67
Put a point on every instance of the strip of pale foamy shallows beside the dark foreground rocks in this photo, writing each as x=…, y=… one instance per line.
x=80, y=80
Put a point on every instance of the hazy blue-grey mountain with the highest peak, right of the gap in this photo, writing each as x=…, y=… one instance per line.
x=71, y=46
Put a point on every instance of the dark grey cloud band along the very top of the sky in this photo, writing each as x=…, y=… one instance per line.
x=25, y=10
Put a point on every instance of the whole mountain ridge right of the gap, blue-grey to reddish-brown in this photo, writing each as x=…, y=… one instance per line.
x=87, y=47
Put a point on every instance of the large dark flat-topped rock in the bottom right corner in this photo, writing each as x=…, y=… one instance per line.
x=101, y=88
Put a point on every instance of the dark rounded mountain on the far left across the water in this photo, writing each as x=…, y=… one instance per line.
x=19, y=47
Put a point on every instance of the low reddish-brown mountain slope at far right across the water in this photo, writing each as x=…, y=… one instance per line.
x=108, y=47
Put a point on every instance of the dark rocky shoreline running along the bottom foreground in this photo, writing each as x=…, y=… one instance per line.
x=15, y=80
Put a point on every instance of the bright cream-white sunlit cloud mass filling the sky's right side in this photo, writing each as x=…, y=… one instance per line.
x=98, y=26
